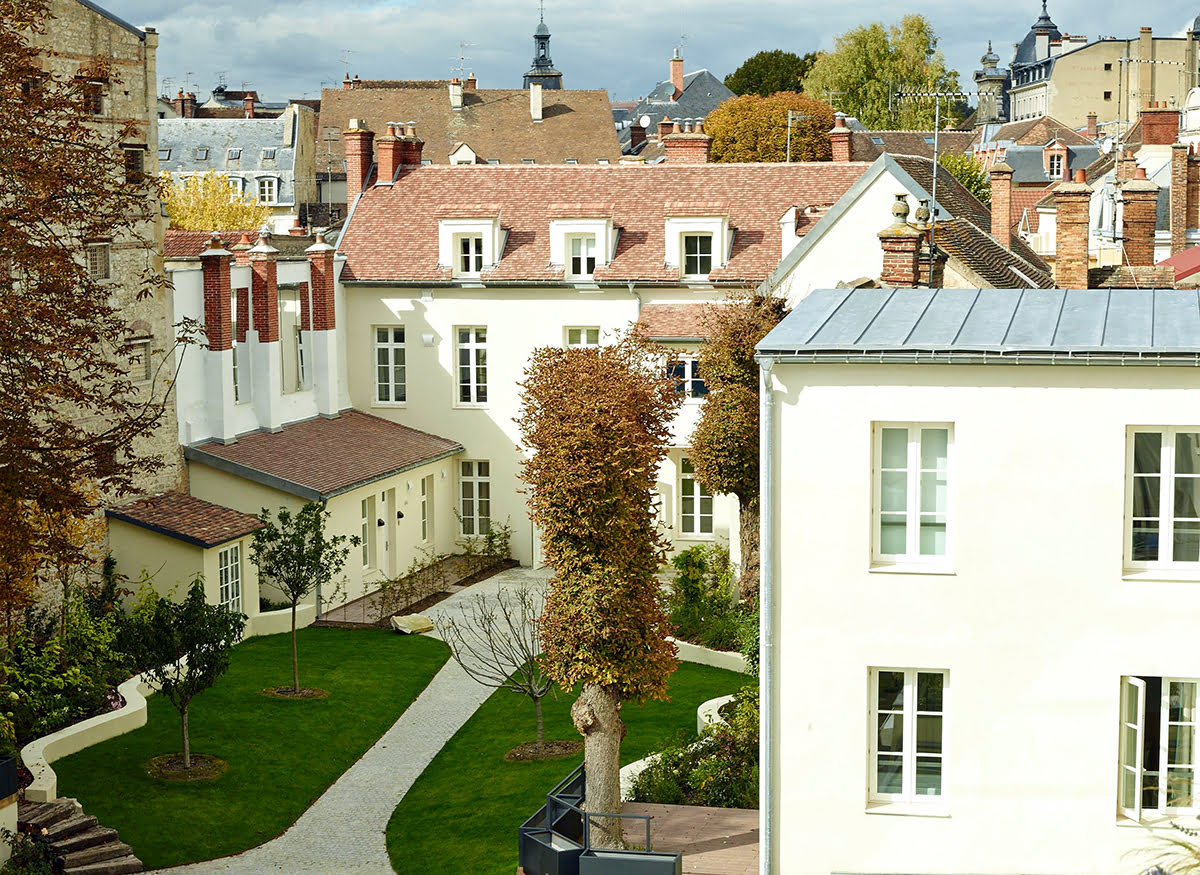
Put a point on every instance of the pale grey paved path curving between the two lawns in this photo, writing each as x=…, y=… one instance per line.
x=344, y=831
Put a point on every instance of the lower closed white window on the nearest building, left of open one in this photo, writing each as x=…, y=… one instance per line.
x=908, y=715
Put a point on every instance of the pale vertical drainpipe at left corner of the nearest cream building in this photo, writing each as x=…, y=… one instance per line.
x=769, y=717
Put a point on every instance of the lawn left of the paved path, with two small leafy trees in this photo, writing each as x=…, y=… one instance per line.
x=283, y=754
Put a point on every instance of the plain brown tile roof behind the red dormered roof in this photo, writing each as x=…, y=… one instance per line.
x=495, y=123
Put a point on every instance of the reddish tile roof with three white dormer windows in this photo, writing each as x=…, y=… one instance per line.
x=393, y=235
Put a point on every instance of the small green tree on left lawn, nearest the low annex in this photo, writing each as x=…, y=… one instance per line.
x=296, y=558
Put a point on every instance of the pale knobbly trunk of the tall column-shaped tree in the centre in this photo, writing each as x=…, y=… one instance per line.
x=597, y=716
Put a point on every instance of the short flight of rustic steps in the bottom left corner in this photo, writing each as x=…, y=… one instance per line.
x=85, y=847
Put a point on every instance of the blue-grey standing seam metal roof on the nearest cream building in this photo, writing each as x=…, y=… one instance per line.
x=1007, y=322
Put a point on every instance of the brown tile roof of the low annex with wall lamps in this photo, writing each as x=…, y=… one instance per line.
x=322, y=458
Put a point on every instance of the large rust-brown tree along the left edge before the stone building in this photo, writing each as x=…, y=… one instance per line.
x=71, y=411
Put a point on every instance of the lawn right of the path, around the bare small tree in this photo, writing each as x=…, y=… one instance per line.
x=465, y=810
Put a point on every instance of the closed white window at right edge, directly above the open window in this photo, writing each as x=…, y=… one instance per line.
x=1163, y=499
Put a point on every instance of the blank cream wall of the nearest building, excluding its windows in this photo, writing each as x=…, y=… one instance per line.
x=1036, y=625
